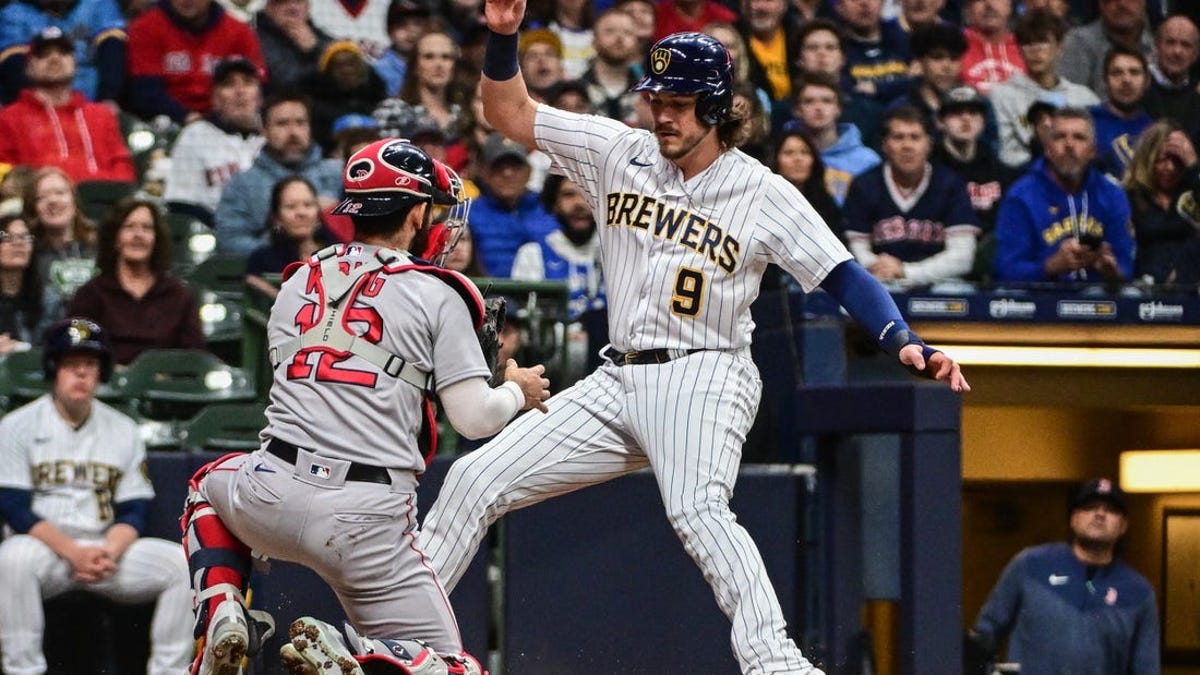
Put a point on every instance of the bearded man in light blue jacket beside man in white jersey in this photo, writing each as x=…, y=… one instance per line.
x=243, y=213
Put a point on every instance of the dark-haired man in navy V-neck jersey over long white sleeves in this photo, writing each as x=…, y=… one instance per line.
x=910, y=219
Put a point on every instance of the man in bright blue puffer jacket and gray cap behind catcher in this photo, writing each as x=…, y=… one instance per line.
x=506, y=216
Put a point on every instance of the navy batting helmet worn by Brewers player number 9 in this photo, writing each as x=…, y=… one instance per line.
x=693, y=63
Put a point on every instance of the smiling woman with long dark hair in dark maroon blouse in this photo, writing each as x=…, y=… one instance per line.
x=134, y=297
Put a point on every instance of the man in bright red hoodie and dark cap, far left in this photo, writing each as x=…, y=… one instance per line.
x=53, y=124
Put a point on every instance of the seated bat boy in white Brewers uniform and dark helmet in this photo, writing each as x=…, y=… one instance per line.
x=75, y=491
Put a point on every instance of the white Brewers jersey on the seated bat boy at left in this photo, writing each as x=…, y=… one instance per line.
x=76, y=475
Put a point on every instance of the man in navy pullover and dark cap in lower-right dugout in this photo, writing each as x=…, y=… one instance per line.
x=1075, y=607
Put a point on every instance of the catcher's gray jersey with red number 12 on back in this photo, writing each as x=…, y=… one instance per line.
x=339, y=404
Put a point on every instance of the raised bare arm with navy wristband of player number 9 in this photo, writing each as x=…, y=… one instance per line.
x=507, y=103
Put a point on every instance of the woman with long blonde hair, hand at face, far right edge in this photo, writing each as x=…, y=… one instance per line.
x=1162, y=169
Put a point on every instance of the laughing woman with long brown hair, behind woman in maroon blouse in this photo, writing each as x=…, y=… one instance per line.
x=65, y=241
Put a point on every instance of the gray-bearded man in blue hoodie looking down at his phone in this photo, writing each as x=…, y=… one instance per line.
x=1064, y=220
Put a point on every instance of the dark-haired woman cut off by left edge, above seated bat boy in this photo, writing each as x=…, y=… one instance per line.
x=22, y=315
